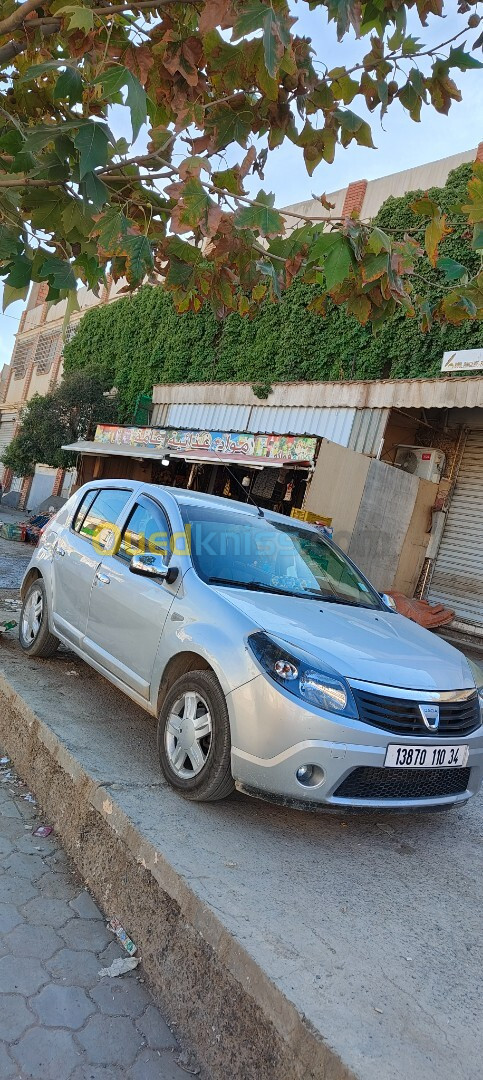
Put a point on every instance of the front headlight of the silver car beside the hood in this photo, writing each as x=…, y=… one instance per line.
x=315, y=686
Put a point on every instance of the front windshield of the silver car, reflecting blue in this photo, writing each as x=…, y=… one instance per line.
x=273, y=557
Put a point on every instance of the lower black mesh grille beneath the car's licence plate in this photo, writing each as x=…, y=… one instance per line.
x=373, y=784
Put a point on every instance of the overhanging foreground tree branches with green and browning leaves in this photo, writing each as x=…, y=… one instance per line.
x=212, y=88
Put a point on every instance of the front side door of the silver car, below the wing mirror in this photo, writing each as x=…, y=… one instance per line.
x=128, y=613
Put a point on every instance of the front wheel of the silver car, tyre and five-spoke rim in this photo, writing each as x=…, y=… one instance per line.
x=194, y=721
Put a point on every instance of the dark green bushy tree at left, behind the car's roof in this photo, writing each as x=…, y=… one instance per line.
x=69, y=413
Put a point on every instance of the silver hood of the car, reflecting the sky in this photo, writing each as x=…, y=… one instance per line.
x=358, y=643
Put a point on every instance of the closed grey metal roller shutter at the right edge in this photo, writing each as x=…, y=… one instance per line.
x=458, y=580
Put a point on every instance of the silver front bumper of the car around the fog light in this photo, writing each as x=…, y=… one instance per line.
x=265, y=757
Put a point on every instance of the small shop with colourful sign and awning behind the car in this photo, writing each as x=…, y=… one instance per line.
x=272, y=470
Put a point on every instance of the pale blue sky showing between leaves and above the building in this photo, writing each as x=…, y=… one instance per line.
x=400, y=143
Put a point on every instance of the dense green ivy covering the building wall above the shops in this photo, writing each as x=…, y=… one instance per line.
x=141, y=341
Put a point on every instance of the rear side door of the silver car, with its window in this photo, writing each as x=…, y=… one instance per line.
x=78, y=553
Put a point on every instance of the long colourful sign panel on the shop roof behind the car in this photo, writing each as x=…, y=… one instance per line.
x=220, y=444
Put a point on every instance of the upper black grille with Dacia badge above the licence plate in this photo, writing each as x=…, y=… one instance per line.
x=401, y=715
